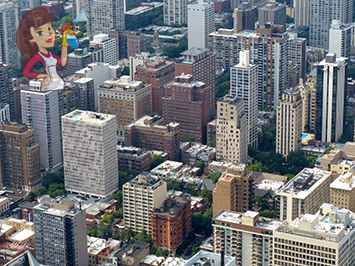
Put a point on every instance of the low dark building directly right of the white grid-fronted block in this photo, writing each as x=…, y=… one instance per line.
x=133, y=158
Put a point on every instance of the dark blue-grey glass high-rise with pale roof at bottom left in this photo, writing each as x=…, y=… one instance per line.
x=60, y=233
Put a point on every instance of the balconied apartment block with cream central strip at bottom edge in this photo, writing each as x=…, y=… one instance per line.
x=245, y=236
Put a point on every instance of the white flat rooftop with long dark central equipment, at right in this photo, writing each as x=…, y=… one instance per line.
x=304, y=183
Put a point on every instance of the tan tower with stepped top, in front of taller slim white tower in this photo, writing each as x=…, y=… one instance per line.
x=232, y=130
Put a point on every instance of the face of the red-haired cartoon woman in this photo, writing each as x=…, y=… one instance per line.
x=43, y=36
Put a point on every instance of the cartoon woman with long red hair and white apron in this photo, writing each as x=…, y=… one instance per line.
x=34, y=35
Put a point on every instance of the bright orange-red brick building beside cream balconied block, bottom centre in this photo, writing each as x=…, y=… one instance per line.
x=171, y=223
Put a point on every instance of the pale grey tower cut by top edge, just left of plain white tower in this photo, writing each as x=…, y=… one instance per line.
x=175, y=12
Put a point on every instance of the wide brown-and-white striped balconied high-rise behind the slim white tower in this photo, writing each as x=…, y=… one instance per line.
x=268, y=50
